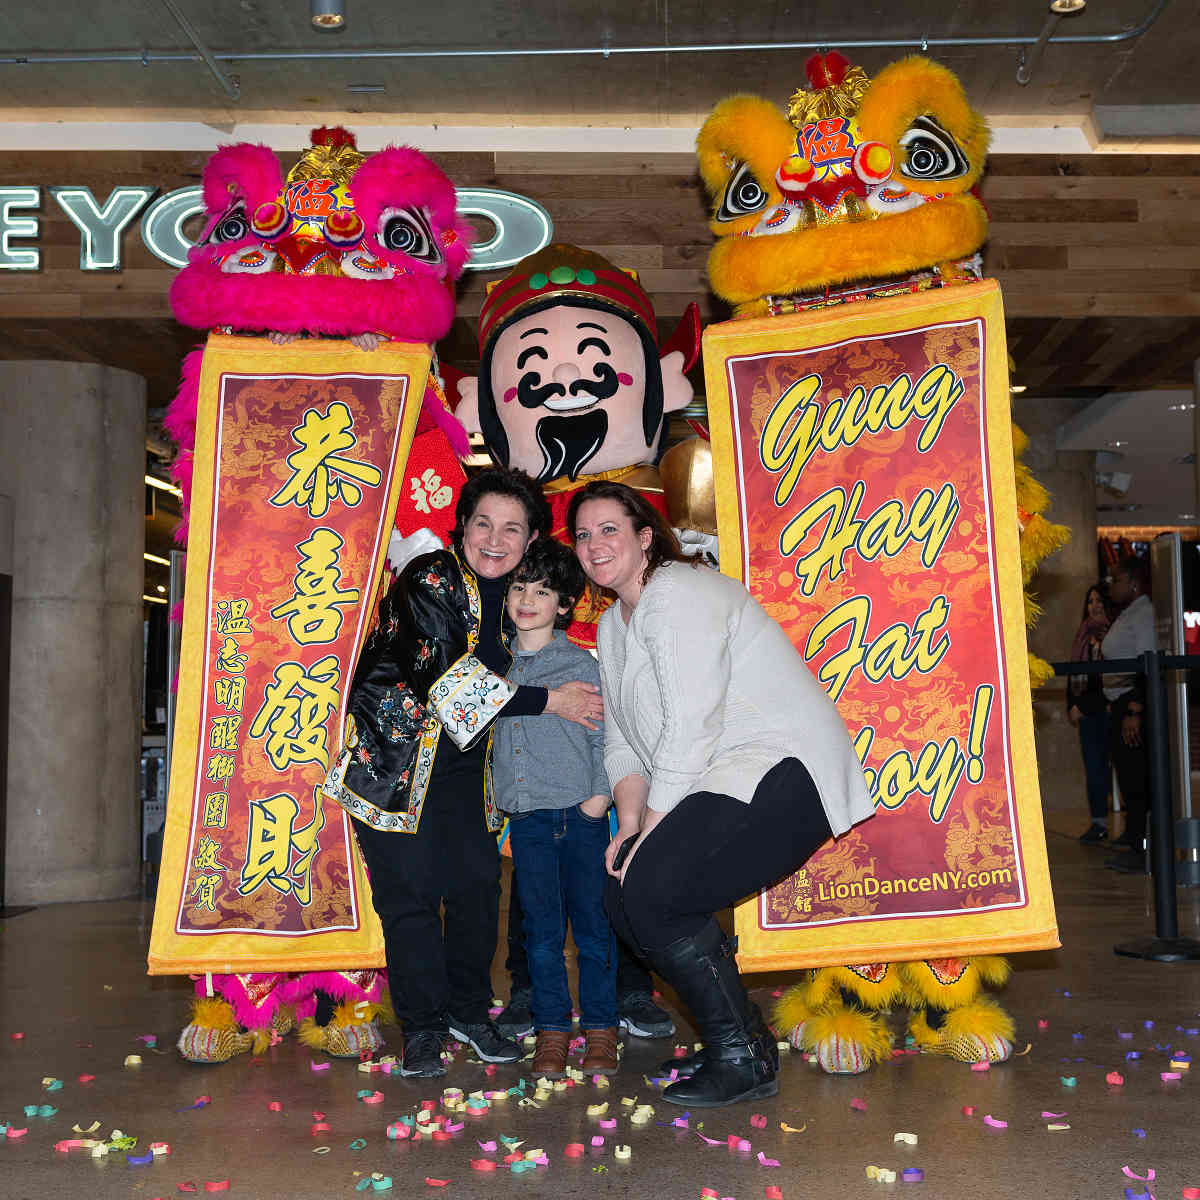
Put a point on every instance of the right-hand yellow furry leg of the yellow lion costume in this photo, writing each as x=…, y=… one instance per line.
x=952, y=1015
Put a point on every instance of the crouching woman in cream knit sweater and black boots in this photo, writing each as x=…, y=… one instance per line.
x=729, y=767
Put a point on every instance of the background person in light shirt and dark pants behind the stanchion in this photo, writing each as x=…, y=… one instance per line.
x=1130, y=635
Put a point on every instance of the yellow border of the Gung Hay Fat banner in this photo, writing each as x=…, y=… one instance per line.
x=898, y=939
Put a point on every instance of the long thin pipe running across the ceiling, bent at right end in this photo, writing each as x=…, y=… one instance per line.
x=848, y=44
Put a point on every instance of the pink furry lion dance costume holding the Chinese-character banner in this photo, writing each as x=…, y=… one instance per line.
x=349, y=245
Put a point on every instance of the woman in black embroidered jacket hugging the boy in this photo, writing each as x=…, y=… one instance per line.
x=412, y=771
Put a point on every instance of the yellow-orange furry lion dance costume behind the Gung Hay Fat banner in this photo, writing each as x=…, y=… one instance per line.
x=865, y=190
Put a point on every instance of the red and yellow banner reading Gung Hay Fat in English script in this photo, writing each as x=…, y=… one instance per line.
x=866, y=496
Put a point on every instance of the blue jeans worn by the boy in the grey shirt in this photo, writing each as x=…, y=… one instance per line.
x=559, y=866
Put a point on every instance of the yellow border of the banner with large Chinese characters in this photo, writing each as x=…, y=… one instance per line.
x=172, y=953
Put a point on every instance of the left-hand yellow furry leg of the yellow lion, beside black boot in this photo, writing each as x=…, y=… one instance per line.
x=837, y=1015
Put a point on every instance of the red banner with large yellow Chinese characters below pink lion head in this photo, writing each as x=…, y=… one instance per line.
x=301, y=455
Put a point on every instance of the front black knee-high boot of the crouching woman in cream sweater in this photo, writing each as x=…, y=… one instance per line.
x=735, y=1065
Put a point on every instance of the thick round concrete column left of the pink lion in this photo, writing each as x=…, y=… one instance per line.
x=73, y=457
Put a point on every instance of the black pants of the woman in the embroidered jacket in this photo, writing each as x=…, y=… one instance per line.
x=452, y=860
